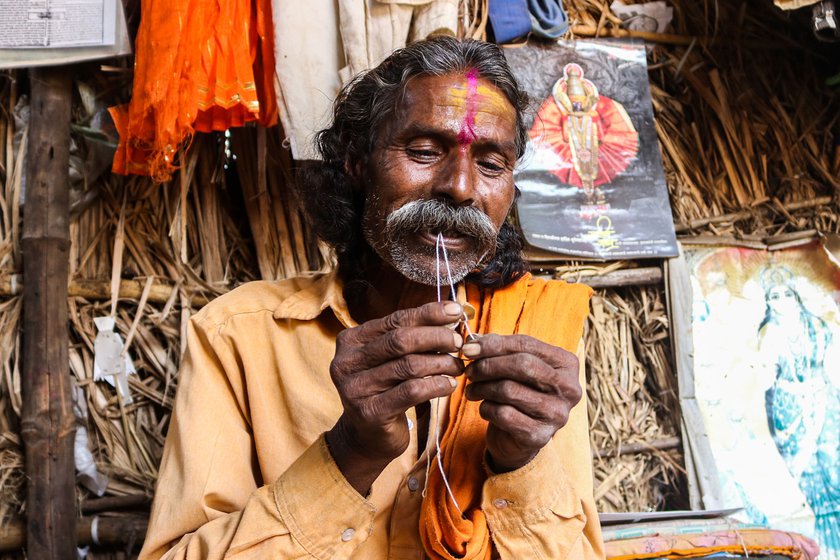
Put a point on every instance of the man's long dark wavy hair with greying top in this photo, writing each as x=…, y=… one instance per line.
x=361, y=110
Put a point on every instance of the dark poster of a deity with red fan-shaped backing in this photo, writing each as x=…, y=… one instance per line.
x=591, y=179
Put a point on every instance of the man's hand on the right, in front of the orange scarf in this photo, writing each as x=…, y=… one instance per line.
x=528, y=388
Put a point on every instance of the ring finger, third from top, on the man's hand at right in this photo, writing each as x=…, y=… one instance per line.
x=534, y=404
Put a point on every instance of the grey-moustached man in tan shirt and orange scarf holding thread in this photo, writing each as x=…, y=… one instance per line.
x=310, y=411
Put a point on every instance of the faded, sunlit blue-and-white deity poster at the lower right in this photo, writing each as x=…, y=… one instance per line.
x=766, y=368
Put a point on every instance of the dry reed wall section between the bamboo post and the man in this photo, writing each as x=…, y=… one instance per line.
x=173, y=247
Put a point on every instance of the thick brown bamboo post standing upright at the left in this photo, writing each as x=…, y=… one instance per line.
x=47, y=423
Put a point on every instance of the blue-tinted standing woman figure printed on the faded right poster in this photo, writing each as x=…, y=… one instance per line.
x=803, y=403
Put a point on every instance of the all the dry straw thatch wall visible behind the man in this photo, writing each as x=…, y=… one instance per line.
x=745, y=133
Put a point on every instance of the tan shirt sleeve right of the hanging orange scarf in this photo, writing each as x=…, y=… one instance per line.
x=546, y=509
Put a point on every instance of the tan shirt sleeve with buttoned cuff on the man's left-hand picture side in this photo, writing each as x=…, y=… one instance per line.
x=210, y=501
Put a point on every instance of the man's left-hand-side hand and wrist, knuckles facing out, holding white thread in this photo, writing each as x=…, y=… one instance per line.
x=381, y=369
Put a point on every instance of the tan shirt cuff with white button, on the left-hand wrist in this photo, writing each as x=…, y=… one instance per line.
x=323, y=512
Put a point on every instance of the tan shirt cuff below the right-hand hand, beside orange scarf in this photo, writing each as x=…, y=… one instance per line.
x=538, y=491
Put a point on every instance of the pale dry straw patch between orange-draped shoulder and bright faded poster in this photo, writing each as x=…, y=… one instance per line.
x=633, y=412
